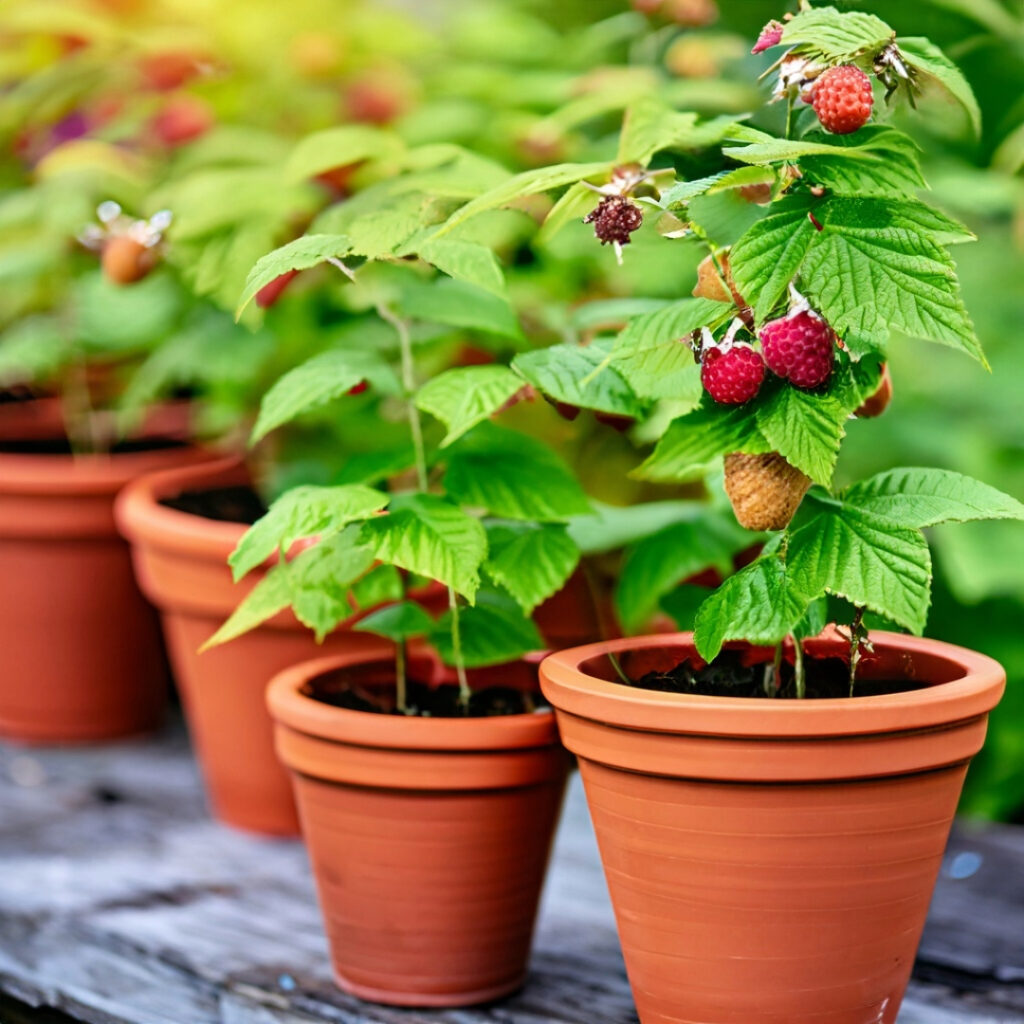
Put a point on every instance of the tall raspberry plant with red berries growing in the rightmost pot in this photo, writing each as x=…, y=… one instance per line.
x=843, y=261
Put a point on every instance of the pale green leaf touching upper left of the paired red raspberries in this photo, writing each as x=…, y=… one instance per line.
x=651, y=353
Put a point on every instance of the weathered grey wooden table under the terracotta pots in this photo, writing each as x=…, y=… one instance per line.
x=122, y=904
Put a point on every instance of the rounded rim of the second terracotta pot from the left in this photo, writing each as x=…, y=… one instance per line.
x=143, y=520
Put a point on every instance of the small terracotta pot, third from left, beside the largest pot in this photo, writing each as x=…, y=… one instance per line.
x=430, y=838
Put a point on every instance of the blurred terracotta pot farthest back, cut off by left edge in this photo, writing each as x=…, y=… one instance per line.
x=82, y=658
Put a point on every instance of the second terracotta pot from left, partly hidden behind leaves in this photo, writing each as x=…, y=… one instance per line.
x=182, y=565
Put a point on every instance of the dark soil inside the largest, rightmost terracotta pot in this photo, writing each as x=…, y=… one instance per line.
x=734, y=675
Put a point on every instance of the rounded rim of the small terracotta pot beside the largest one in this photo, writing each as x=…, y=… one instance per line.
x=296, y=711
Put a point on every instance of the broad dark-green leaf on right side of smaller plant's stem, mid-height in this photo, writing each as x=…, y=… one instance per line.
x=514, y=477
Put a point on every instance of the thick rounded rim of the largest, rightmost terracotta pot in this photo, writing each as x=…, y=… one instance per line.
x=572, y=690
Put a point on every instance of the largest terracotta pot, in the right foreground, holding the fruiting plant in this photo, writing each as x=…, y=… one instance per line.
x=772, y=863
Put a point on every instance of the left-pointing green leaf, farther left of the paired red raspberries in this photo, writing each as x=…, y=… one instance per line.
x=580, y=375
